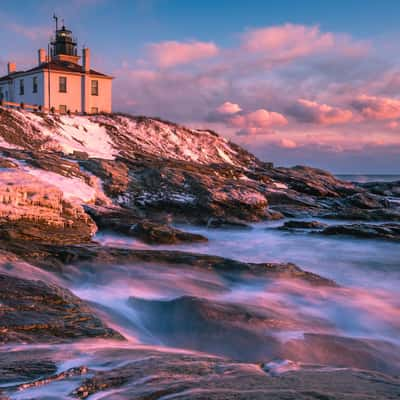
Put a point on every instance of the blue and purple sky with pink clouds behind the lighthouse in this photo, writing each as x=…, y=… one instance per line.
x=306, y=82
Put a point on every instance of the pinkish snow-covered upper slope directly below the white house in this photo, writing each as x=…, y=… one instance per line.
x=89, y=134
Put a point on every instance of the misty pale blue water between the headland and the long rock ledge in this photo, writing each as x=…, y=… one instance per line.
x=351, y=262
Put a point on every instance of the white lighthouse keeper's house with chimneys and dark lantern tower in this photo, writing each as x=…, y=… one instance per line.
x=59, y=81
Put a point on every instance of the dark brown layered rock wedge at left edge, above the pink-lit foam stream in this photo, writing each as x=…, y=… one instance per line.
x=34, y=311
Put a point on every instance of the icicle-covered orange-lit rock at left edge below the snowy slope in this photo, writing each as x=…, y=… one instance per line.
x=33, y=210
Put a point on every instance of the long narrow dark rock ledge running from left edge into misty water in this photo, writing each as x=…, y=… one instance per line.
x=56, y=257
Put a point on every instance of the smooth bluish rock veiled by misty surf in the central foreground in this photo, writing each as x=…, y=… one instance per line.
x=239, y=331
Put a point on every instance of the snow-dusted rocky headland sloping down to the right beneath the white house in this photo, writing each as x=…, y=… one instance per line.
x=124, y=169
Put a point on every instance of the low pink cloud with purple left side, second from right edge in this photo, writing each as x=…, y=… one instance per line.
x=322, y=114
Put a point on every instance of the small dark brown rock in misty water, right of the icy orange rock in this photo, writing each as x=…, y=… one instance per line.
x=154, y=233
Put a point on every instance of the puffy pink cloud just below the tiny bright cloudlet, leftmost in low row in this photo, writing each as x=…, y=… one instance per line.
x=258, y=122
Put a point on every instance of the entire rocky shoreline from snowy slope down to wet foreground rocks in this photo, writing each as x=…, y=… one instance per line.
x=137, y=179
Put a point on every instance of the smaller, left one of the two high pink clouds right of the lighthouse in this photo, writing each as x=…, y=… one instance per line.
x=172, y=53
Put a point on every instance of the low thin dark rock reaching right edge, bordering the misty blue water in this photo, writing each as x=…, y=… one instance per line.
x=389, y=231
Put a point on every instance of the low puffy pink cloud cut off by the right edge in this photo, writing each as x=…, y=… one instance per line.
x=377, y=108
